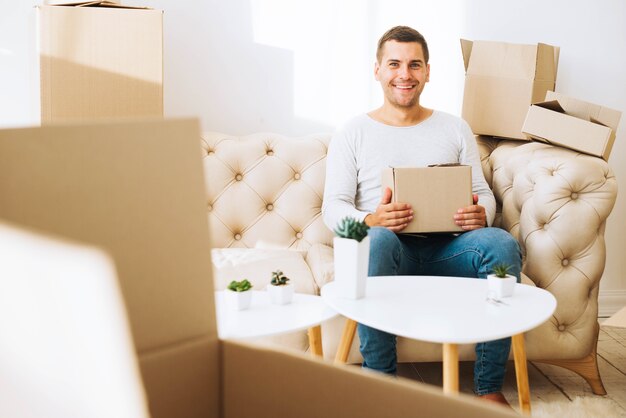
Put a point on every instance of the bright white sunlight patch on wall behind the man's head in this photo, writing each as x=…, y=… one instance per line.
x=334, y=44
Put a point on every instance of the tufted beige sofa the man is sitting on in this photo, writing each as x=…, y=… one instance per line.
x=265, y=193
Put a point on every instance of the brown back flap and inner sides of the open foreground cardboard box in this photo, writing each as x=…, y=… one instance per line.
x=137, y=191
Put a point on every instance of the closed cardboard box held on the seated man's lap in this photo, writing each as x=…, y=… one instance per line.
x=434, y=193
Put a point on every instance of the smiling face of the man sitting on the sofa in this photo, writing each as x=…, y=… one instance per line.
x=402, y=73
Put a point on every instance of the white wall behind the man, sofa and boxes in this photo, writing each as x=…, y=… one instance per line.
x=300, y=67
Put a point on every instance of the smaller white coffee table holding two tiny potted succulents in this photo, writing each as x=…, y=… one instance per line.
x=263, y=319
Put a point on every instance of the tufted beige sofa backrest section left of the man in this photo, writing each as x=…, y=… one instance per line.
x=265, y=190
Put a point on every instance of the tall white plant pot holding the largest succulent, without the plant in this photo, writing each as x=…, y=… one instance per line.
x=351, y=266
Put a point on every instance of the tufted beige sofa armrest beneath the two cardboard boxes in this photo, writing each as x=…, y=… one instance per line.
x=556, y=202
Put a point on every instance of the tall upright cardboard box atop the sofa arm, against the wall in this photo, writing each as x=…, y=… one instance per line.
x=501, y=81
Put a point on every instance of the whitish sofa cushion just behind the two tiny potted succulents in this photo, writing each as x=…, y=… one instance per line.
x=257, y=265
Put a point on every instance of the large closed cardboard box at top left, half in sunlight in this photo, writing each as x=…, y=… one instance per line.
x=99, y=60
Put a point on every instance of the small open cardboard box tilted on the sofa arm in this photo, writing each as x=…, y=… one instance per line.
x=574, y=124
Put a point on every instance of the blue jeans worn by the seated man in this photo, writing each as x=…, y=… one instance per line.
x=471, y=254
